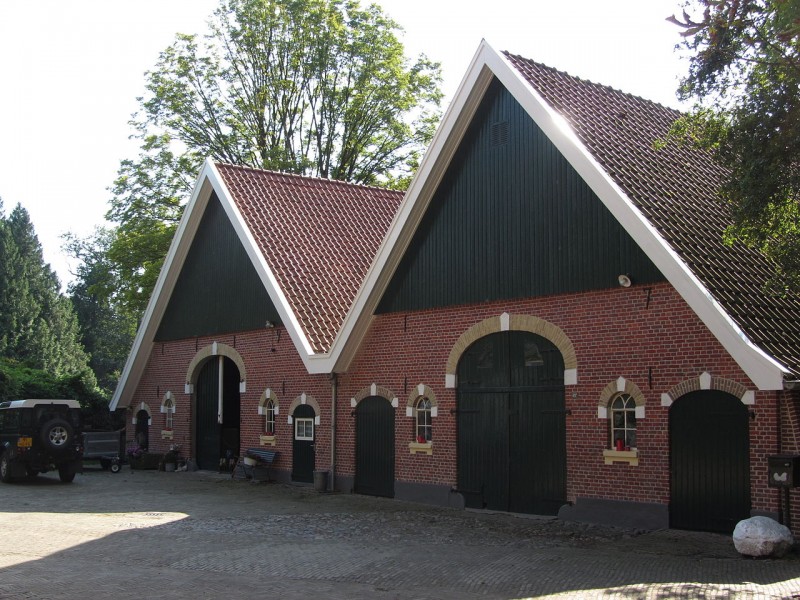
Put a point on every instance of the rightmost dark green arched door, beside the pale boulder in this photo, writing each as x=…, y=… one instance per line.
x=709, y=462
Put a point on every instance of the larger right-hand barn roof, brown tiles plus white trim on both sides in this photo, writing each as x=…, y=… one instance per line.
x=665, y=200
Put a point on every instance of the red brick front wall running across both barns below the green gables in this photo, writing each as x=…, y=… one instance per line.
x=649, y=336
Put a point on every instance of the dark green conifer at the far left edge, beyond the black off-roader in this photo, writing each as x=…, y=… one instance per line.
x=37, y=324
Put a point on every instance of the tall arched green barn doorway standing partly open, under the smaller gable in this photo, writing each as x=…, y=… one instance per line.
x=215, y=441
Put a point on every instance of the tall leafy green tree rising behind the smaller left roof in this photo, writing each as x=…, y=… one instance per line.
x=316, y=87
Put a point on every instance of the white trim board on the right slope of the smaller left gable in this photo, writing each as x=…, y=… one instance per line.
x=262, y=268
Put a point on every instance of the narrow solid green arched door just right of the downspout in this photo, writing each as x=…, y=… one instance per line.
x=375, y=447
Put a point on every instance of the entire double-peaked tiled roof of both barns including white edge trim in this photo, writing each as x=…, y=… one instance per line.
x=312, y=242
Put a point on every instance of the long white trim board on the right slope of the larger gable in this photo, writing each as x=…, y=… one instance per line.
x=765, y=372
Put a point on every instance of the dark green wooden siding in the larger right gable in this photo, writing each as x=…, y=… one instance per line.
x=511, y=219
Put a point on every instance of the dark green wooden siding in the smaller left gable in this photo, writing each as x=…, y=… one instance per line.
x=218, y=289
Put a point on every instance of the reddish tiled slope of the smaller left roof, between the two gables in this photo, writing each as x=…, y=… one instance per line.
x=318, y=238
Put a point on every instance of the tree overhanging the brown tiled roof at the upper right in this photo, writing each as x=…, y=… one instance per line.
x=745, y=77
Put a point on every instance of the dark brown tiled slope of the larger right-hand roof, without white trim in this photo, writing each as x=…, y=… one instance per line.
x=675, y=188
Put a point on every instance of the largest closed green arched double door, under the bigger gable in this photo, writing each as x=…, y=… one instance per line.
x=511, y=424
